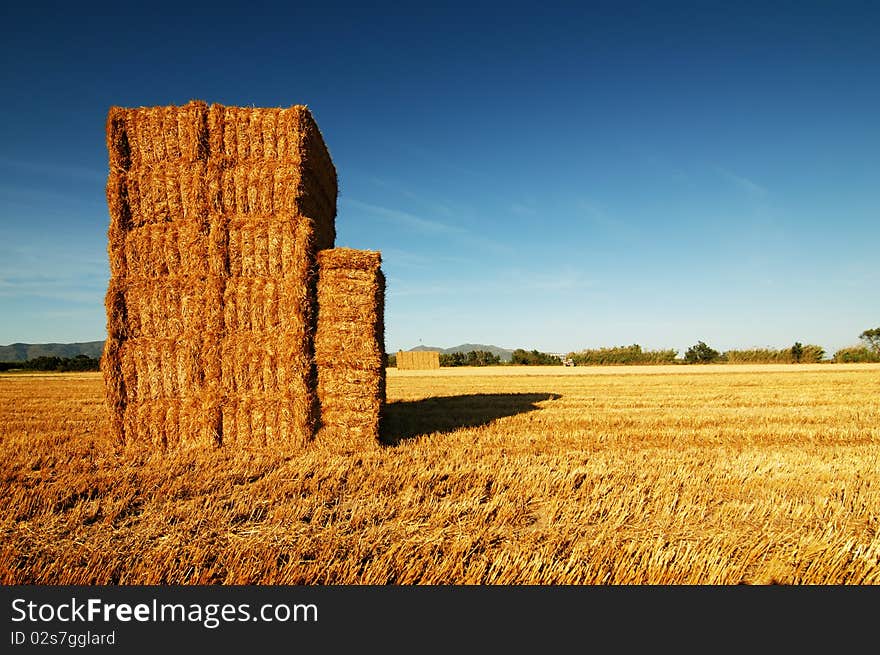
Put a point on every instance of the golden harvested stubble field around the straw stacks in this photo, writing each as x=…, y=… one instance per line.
x=530, y=475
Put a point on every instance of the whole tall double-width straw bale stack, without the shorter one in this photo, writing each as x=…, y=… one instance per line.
x=216, y=217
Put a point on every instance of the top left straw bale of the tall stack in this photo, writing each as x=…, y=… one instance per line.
x=143, y=136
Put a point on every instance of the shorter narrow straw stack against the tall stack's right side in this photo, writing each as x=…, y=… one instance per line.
x=350, y=346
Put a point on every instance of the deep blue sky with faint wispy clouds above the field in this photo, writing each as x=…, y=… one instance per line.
x=556, y=178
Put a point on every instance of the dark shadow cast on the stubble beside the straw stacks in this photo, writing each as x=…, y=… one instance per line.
x=408, y=419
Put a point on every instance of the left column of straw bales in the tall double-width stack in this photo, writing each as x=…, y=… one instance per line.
x=161, y=362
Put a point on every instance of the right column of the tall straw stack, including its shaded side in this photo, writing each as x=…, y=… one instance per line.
x=273, y=187
